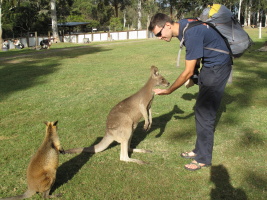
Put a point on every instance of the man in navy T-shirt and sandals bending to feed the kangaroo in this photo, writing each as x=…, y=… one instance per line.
x=215, y=71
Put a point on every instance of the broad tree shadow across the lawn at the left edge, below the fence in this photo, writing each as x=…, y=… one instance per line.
x=19, y=74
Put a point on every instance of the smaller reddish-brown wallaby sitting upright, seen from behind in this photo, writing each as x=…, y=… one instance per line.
x=41, y=172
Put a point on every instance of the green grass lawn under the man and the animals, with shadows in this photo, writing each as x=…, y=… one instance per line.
x=79, y=85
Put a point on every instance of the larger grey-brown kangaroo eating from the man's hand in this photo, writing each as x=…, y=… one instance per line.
x=124, y=117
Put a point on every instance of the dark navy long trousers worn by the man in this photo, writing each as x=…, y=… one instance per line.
x=212, y=81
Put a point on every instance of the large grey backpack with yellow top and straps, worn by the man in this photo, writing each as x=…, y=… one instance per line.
x=223, y=21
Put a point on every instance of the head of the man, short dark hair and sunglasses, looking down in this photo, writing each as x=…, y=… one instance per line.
x=161, y=25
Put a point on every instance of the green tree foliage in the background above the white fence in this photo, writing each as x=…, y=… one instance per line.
x=31, y=15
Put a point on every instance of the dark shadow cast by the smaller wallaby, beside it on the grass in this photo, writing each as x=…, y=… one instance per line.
x=69, y=169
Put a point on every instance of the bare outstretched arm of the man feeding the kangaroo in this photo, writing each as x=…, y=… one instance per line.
x=184, y=76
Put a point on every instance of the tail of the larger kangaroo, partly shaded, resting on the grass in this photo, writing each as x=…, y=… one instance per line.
x=101, y=146
